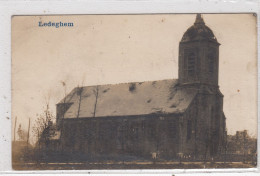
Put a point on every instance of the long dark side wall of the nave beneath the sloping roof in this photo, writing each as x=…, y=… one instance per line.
x=133, y=136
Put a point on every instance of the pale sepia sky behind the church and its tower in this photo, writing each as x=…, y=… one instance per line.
x=109, y=49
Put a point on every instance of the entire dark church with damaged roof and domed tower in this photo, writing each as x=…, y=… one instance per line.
x=174, y=117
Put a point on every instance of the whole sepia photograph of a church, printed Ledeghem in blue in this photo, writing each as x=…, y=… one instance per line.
x=142, y=91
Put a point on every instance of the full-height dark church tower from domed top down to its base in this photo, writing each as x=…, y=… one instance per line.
x=198, y=71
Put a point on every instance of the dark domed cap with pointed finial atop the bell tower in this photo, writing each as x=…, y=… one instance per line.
x=198, y=31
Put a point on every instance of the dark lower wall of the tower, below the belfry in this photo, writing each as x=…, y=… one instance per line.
x=209, y=124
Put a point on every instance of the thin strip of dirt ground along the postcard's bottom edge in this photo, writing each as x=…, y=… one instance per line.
x=129, y=165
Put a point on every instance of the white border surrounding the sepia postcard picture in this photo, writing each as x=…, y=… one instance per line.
x=48, y=7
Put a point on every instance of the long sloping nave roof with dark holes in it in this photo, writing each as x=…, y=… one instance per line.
x=128, y=99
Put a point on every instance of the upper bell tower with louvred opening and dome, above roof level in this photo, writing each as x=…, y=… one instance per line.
x=198, y=55
